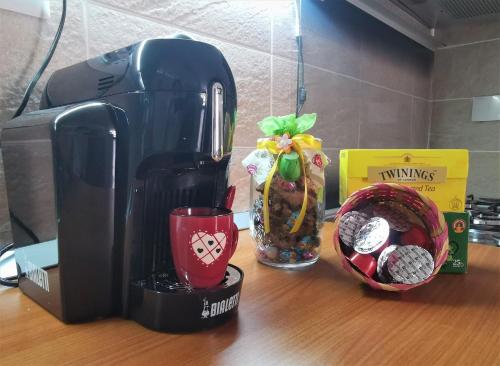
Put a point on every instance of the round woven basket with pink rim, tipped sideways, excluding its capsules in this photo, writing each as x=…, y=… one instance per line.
x=422, y=206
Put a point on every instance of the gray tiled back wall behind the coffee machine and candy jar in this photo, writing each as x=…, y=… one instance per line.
x=369, y=85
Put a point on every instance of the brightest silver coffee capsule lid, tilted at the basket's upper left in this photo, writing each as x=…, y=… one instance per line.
x=372, y=236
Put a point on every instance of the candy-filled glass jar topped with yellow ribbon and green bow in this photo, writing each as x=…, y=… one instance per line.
x=287, y=171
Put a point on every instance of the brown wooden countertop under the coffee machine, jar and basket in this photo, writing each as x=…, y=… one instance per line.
x=321, y=316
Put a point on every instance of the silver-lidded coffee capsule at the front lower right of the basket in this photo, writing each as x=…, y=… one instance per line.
x=410, y=264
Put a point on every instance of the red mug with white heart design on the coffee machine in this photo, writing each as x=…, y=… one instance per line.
x=203, y=239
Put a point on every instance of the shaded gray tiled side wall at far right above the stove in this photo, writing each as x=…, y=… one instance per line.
x=468, y=66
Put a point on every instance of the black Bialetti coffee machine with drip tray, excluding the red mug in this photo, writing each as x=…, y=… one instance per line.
x=119, y=141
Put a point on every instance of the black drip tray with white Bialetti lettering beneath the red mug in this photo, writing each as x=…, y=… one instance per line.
x=163, y=304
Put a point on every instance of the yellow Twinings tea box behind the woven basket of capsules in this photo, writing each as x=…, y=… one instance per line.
x=440, y=174
